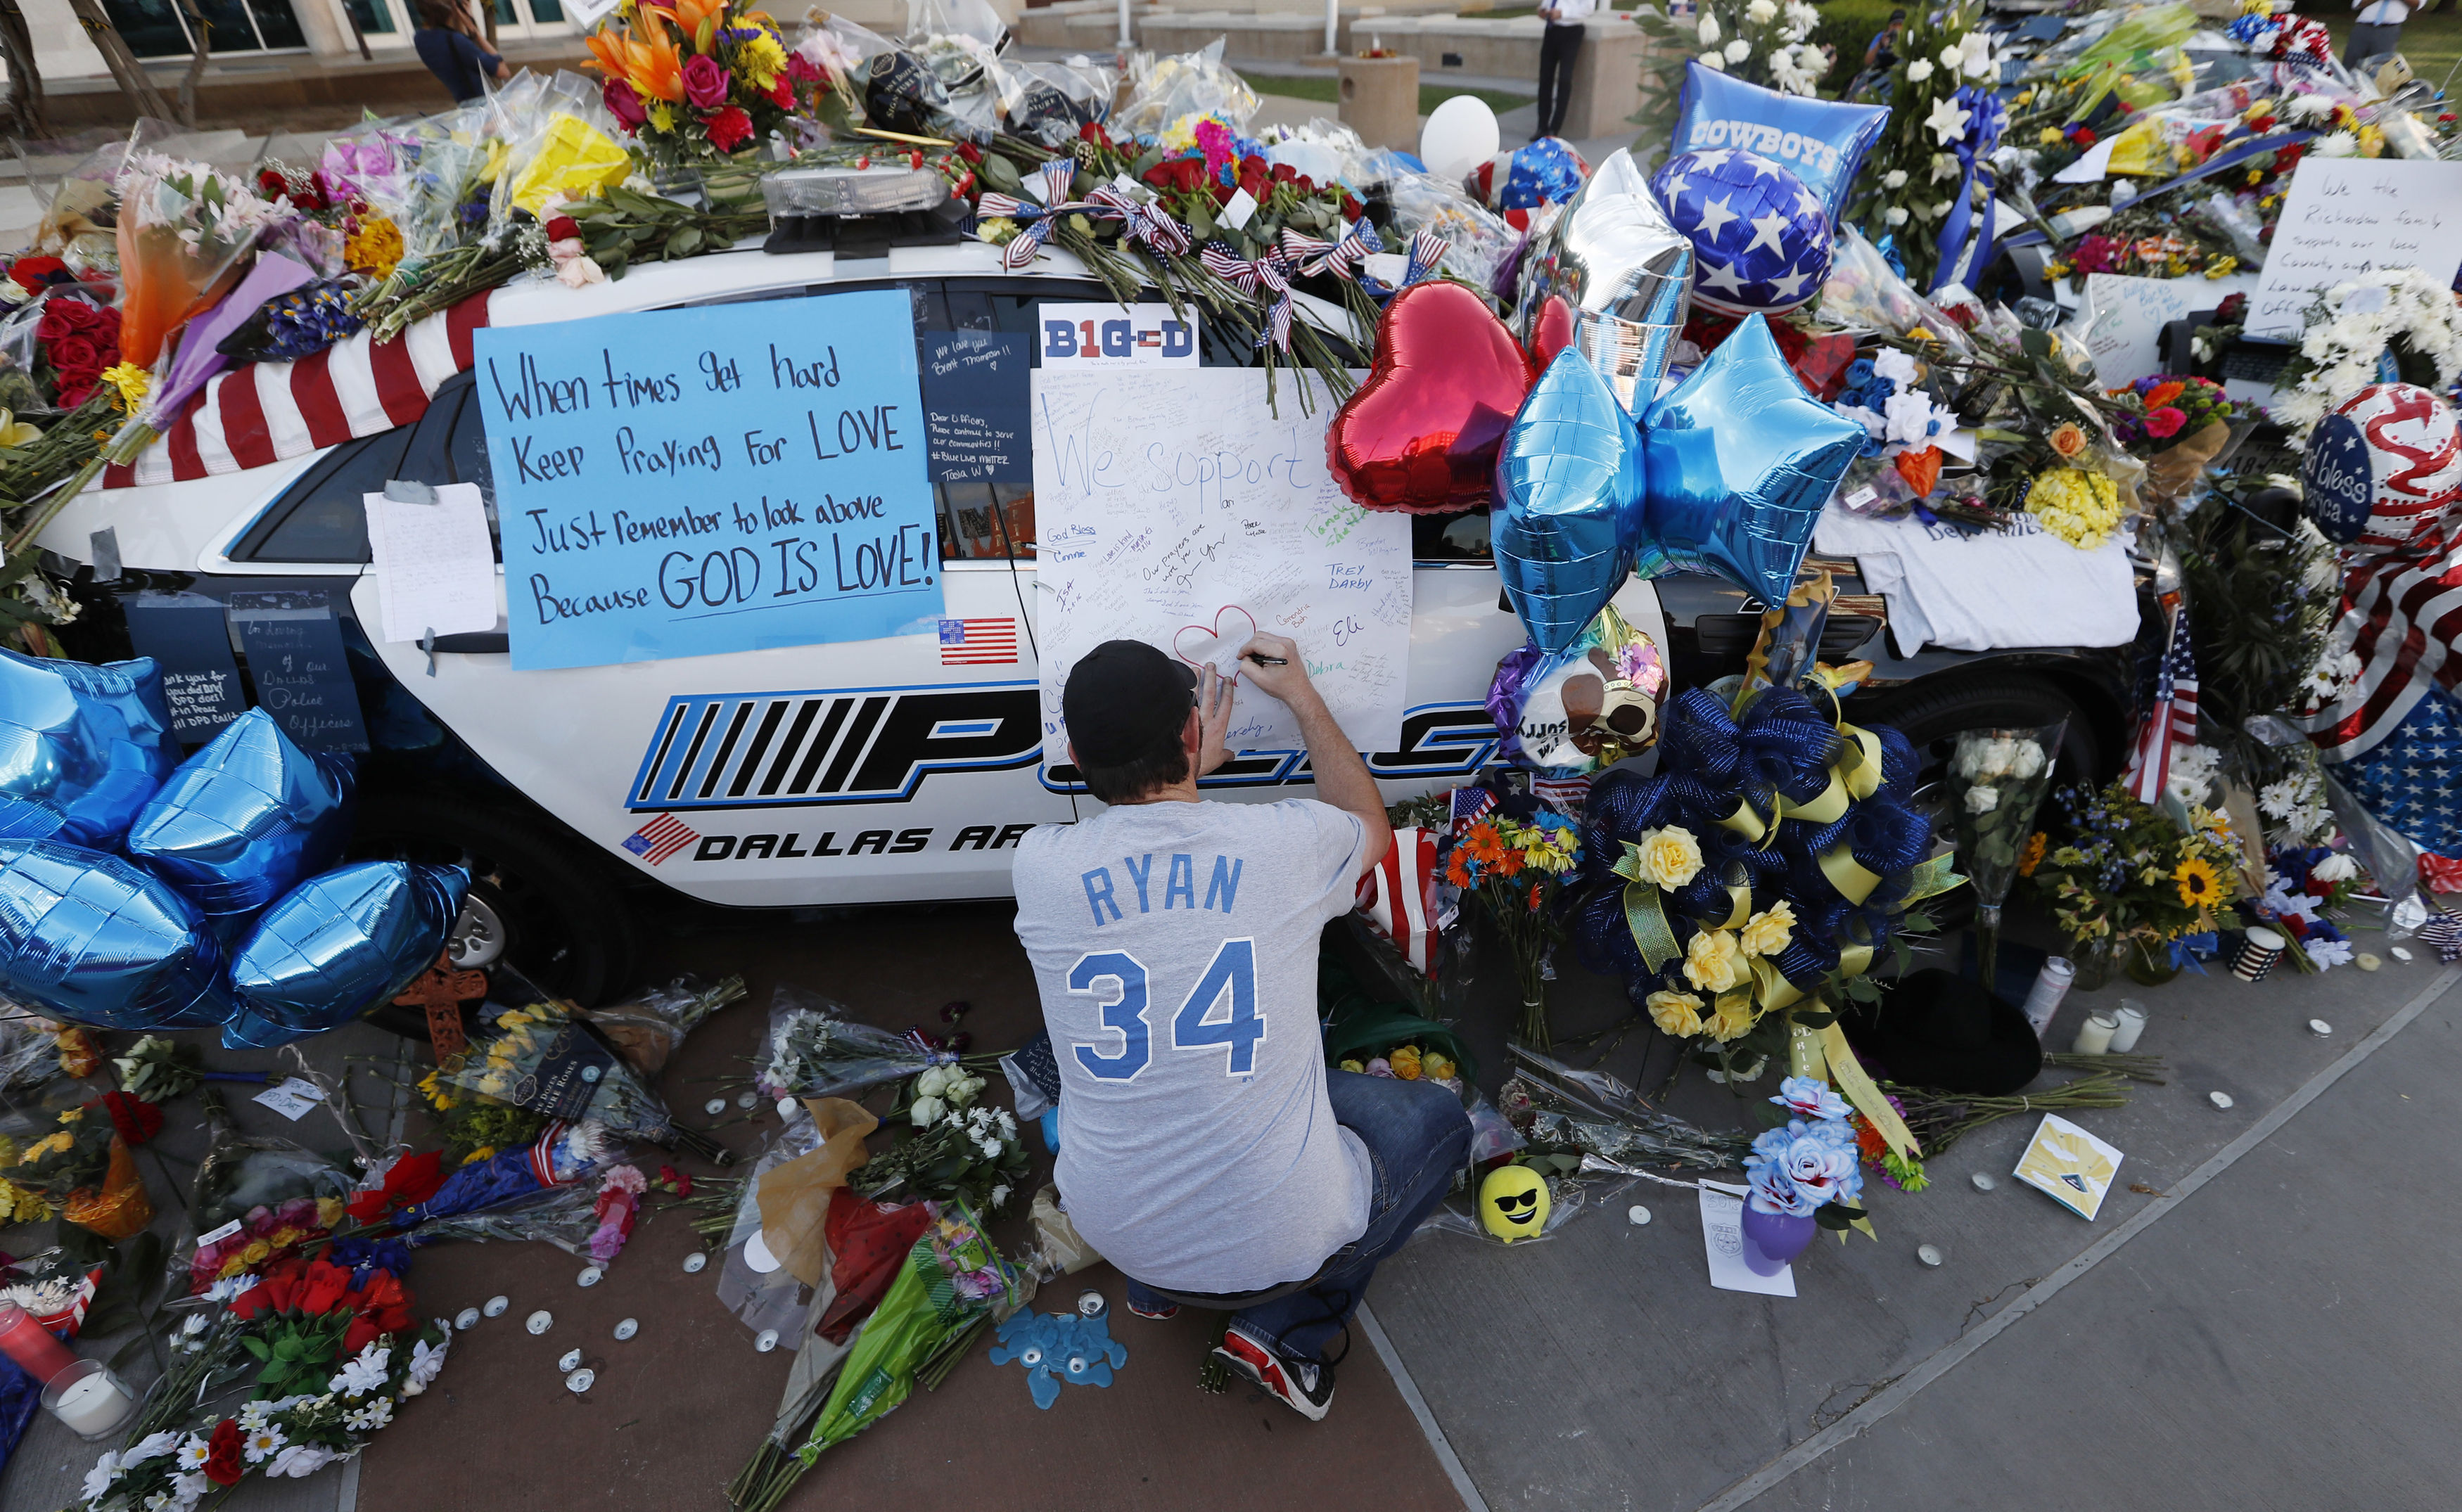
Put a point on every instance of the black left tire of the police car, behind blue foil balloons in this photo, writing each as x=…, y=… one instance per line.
x=550, y=898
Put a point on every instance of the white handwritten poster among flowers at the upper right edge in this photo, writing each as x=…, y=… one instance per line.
x=2348, y=218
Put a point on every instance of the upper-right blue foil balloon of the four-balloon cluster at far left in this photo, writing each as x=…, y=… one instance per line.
x=245, y=819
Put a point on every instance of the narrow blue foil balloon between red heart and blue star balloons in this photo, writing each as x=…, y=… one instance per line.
x=1570, y=486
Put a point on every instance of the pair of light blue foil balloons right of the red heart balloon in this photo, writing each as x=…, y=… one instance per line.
x=1727, y=474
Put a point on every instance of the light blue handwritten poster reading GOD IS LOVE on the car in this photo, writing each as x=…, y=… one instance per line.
x=700, y=481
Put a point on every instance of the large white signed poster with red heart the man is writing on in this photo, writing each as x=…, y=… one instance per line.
x=1181, y=511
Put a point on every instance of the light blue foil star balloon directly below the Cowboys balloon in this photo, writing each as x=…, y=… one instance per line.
x=1742, y=462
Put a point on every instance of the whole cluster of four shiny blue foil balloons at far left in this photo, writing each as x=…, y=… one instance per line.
x=250, y=824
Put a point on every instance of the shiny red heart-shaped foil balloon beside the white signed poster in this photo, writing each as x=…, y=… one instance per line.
x=1422, y=435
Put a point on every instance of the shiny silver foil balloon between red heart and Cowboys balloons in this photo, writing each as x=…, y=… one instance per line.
x=1626, y=275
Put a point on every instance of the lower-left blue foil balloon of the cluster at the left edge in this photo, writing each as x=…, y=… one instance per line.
x=92, y=939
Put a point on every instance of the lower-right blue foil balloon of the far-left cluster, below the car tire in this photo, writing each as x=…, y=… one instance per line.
x=341, y=944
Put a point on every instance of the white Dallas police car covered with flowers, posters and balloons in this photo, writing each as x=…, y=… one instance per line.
x=868, y=772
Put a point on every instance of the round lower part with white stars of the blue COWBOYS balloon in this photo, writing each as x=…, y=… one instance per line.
x=1759, y=235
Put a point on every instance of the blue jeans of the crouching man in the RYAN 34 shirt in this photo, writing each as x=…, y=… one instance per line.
x=1417, y=1139
